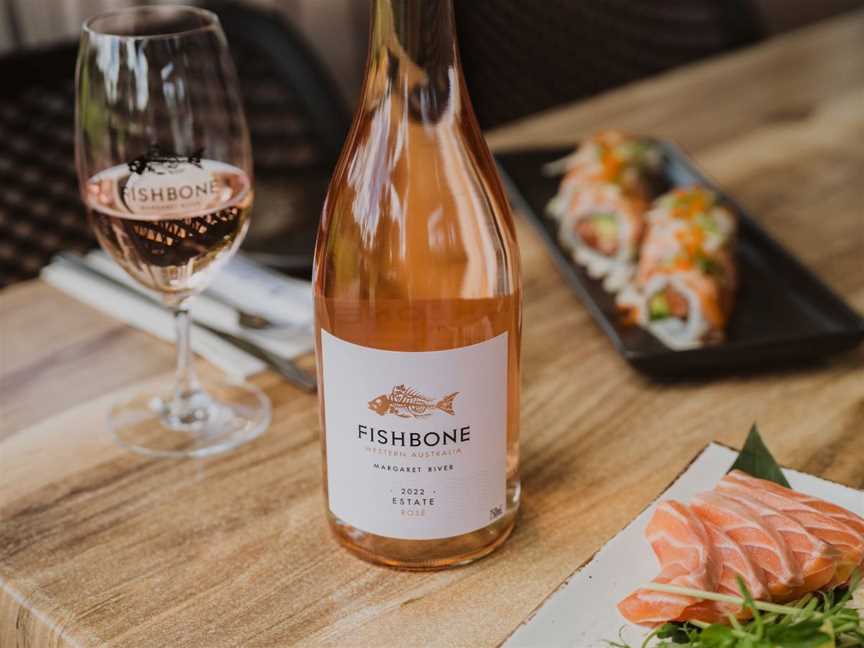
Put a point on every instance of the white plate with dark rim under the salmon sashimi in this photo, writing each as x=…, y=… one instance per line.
x=582, y=612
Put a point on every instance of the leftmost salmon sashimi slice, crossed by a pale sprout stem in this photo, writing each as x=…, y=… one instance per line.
x=687, y=558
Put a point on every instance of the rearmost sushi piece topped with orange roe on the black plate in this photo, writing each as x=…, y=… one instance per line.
x=607, y=157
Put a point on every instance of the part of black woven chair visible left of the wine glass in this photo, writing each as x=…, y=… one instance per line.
x=40, y=211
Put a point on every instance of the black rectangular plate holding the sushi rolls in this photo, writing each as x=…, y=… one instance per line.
x=783, y=313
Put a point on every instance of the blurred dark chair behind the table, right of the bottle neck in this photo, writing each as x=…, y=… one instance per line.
x=522, y=57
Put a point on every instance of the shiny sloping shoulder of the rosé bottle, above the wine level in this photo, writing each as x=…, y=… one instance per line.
x=418, y=206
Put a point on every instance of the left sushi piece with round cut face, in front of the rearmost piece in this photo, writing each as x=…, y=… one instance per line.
x=602, y=227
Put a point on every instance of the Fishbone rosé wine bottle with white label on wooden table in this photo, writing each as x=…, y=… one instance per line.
x=418, y=312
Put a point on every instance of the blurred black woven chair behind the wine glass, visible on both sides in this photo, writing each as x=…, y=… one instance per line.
x=296, y=117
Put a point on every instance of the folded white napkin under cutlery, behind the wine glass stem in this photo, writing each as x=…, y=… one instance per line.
x=243, y=284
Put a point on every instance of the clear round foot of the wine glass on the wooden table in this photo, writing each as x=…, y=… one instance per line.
x=226, y=415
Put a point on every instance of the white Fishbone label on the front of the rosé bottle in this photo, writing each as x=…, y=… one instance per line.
x=416, y=441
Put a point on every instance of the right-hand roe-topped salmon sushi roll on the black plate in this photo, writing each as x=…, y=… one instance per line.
x=684, y=288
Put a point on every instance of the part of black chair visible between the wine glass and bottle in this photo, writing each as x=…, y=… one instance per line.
x=298, y=122
